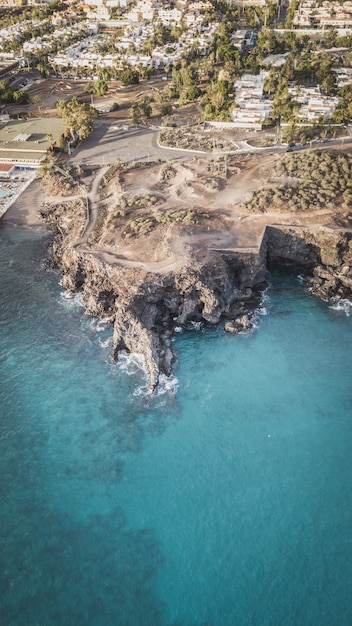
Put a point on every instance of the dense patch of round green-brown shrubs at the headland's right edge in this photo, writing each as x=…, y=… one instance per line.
x=313, y=180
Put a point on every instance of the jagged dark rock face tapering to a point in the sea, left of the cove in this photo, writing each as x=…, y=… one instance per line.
x=146, y=307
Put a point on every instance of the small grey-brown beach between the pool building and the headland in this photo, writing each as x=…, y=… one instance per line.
x=25, y=208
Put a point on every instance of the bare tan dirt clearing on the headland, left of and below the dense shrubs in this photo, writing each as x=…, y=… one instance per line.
x=152, y=215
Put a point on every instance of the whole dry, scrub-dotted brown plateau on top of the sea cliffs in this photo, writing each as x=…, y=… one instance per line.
x=153, y=214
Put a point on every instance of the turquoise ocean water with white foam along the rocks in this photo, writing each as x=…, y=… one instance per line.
x=224, y=499
